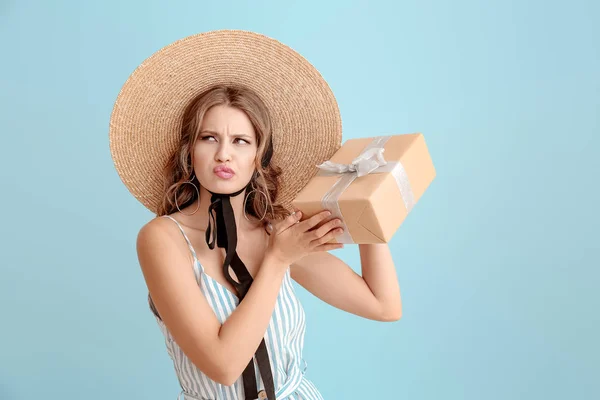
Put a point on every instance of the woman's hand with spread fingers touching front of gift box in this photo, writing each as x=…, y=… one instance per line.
x=292, y=239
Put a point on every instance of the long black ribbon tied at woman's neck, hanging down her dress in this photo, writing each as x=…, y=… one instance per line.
x=223, y=230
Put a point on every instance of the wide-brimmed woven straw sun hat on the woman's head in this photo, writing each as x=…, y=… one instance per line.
x=146, y=121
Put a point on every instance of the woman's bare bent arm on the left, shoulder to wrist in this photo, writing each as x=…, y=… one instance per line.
x=220, y=351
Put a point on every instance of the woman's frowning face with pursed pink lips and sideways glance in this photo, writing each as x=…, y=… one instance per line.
x=227, y=138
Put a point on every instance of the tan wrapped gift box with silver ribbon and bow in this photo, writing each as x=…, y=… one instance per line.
x=371, y=184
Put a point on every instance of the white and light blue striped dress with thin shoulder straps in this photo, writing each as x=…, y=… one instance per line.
x=284, y=339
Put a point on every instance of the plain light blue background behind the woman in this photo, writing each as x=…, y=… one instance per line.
x=498, y=263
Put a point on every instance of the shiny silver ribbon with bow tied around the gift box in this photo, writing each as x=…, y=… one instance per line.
x=369, y=161
